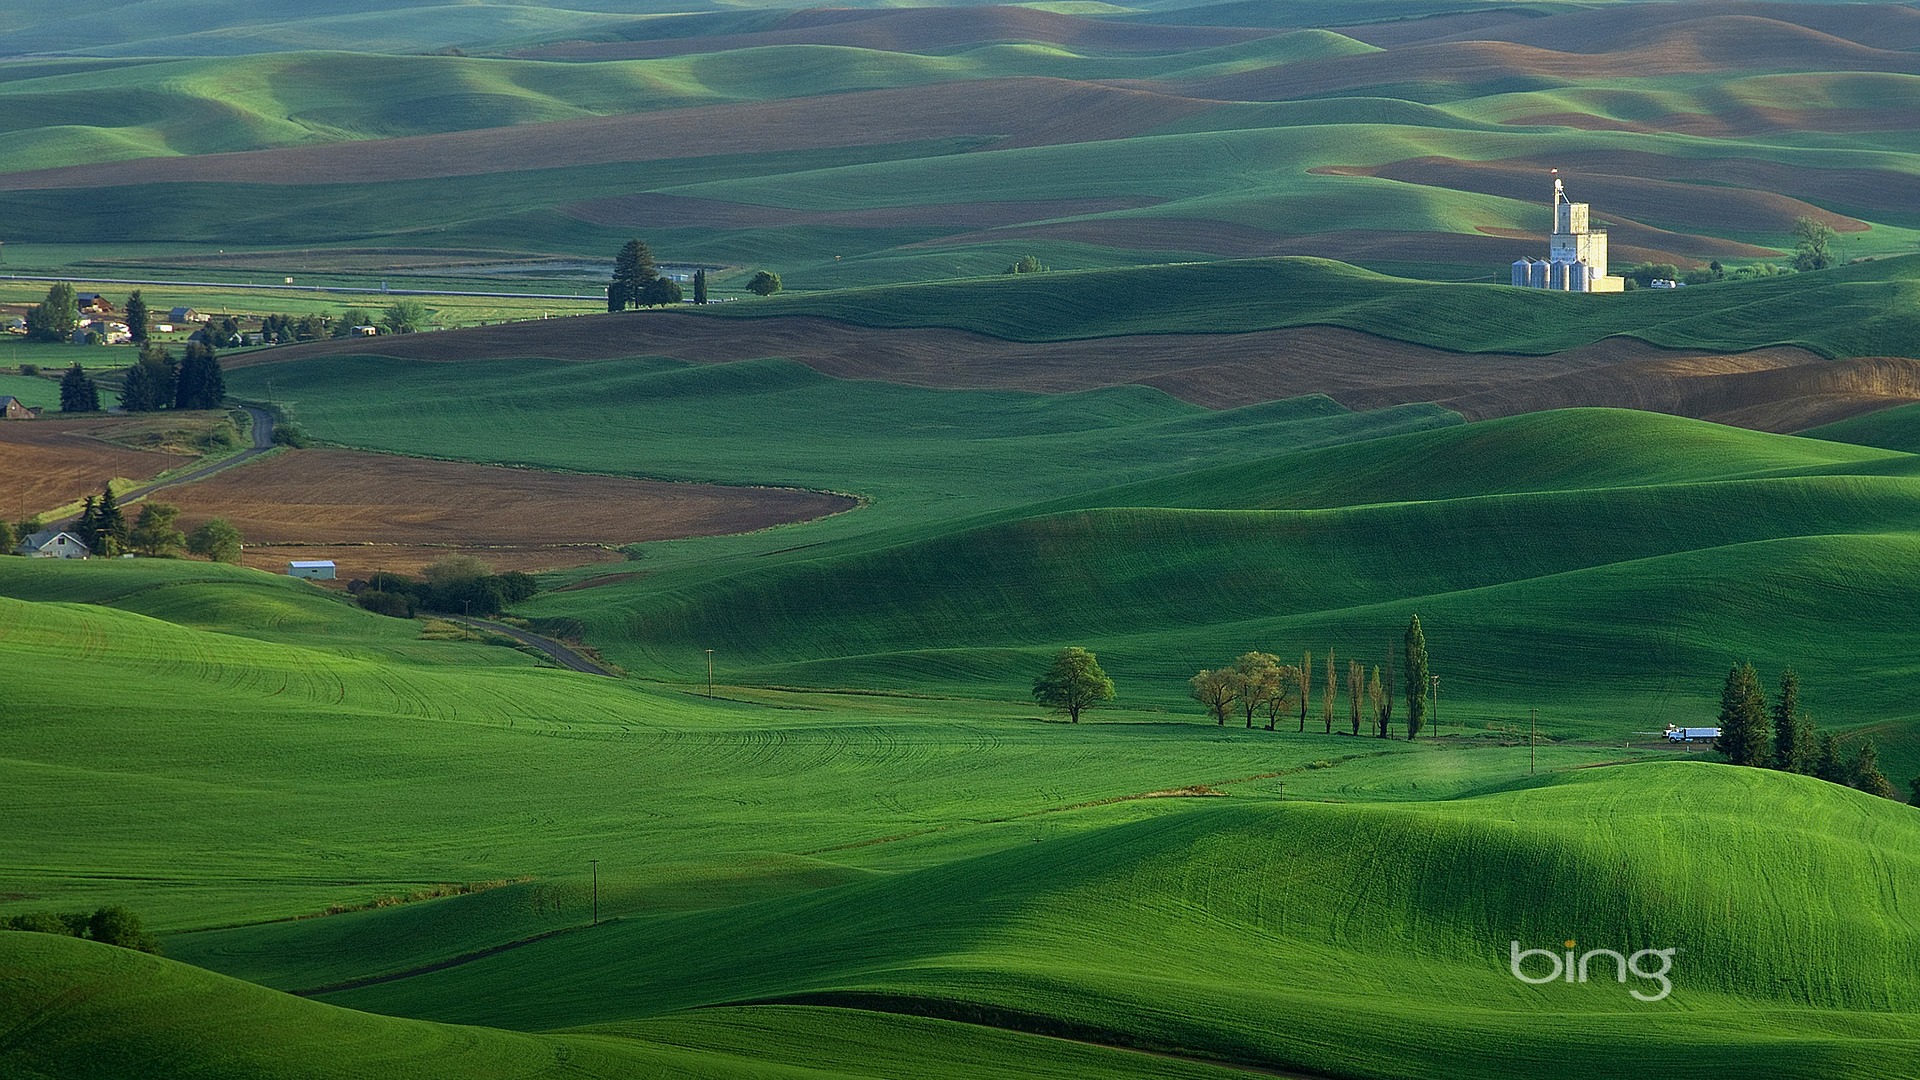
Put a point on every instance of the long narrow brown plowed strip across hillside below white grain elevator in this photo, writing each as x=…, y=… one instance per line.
x=1775, y=389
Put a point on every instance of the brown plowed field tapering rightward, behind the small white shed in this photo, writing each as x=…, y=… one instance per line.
x=375, y=512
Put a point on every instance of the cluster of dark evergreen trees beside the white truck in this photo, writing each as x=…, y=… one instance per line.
x=1787, y=739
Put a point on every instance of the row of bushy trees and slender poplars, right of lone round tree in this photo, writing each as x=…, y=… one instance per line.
x=1260, y=685
